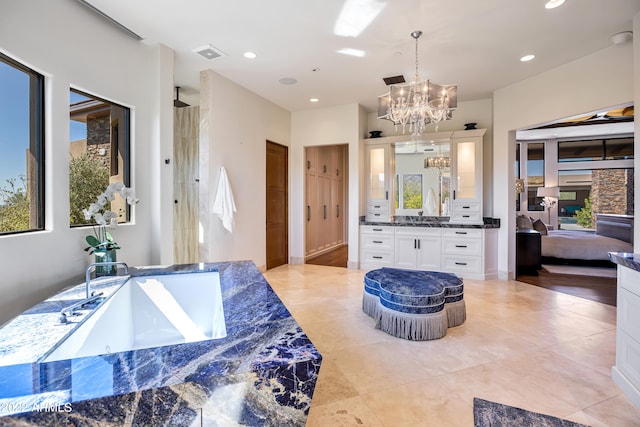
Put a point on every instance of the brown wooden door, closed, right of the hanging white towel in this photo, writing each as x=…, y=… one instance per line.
x=277, y=208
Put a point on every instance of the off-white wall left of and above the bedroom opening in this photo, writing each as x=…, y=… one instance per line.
x=603, y=79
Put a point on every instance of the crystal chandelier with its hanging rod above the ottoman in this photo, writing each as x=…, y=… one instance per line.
x=418, y=103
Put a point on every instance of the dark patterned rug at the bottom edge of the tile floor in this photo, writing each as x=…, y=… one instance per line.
x=492, y=414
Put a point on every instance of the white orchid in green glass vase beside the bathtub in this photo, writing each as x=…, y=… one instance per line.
x=101, y=243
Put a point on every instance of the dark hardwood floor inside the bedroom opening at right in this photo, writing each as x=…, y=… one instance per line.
x=600, y=289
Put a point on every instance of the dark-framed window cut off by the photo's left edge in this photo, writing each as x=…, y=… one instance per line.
x=21, y=148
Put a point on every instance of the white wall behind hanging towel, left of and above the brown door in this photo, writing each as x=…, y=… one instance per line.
x=235, y=125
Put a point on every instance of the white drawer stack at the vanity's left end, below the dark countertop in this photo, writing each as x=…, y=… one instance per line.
x=376, y=246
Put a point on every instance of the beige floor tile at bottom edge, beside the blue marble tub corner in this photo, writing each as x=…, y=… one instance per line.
x=343, y=413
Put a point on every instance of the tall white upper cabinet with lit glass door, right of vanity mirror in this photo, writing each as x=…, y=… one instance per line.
x=466, y=177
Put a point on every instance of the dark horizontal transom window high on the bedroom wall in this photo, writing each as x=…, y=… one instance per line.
x=595, y=149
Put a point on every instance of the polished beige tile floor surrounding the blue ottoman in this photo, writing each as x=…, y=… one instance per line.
x=521, y=345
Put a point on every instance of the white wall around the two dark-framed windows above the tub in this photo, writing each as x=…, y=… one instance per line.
x=72, y=47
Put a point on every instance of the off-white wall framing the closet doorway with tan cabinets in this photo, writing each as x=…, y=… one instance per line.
x=325, y=126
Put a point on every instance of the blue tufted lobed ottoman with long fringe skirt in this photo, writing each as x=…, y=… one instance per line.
x=414, y=305
